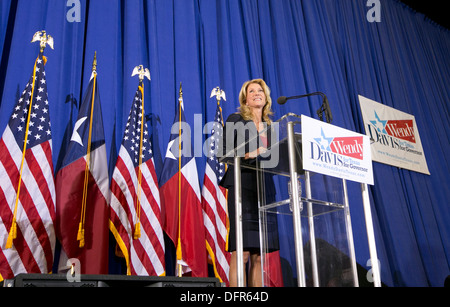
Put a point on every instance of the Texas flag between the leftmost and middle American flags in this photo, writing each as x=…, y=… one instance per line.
x=82, y=186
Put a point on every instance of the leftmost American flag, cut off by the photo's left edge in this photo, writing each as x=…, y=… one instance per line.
x=32, y=248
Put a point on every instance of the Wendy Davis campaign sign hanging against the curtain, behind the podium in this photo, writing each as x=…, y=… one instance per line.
x=394, y=136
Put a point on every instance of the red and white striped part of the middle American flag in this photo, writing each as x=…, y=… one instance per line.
x=144, y=256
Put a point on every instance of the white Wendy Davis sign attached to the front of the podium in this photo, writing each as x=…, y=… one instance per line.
x=336, y=152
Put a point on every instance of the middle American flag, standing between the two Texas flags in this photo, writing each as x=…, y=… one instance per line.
x=135, y=199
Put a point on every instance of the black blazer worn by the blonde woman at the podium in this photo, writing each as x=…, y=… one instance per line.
x=240, y=137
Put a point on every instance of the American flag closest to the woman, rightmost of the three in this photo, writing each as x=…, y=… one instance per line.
x=214, y=204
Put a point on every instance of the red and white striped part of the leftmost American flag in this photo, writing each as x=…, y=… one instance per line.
x=33, y=249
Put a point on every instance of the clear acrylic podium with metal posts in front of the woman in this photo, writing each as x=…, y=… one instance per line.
x=316, y=240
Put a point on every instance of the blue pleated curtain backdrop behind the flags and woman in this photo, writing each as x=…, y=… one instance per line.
x=297, y=46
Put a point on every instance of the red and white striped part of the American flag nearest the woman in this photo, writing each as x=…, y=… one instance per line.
x=215, y=218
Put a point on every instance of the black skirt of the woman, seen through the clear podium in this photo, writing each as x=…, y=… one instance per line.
x=250, y=223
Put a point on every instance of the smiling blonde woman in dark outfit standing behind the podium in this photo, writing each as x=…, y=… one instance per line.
x=248, y=133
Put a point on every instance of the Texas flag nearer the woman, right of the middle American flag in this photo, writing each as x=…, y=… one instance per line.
x=181, y=200
